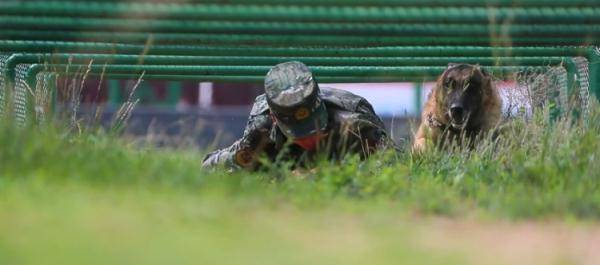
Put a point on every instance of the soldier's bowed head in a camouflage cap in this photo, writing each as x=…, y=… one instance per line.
x=294, y=101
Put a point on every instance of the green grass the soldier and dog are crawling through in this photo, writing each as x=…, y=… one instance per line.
x=95, y=199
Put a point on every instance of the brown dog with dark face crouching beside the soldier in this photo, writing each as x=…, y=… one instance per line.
x=463, y=105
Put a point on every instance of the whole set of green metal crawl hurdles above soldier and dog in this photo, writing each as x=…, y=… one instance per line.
x=349, y=41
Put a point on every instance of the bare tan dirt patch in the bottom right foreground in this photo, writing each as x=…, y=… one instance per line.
x=515, y=243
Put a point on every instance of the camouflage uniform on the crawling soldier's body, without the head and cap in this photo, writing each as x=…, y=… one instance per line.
x=352, y=128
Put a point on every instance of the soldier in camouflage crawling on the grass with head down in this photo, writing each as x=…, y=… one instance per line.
x=295, y=120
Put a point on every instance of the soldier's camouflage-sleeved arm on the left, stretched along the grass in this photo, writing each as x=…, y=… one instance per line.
x=244, y=152
